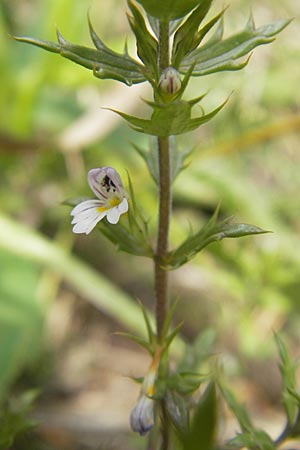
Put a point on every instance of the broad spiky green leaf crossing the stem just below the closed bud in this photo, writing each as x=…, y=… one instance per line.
x=169, y=119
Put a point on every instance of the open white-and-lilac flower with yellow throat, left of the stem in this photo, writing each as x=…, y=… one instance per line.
x=111, y=201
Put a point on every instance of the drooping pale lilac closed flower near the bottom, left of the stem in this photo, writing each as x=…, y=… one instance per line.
x=142, y=415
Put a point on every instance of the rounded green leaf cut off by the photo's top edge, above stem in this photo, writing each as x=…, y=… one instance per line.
x=168, y=9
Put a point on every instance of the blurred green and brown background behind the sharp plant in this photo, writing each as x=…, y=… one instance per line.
x=61, y=296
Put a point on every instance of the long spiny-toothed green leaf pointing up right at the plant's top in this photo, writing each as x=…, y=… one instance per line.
x=223, y=54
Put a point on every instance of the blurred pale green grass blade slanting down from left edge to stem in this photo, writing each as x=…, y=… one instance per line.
x=29, y=244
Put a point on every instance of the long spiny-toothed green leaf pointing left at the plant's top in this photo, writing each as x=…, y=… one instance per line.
x=104, y=62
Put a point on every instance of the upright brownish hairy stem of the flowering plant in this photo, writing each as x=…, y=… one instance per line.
x=161, y=275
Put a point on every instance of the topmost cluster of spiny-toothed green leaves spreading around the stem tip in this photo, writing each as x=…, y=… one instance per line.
x=216, y=54
